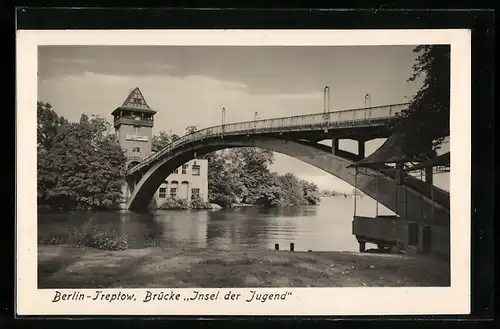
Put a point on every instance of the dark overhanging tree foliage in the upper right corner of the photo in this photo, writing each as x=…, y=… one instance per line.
x=426, y=122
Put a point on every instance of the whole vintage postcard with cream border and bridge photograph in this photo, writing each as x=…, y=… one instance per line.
x=243, y=172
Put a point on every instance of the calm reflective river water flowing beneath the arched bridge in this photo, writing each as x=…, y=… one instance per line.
x=323, y=227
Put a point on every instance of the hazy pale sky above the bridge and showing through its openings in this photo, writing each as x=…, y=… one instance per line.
x=188, y=85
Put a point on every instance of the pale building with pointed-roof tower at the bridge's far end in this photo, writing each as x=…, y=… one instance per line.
x=133, y=123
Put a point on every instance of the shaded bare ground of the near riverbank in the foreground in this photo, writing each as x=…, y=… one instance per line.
x=72, y=267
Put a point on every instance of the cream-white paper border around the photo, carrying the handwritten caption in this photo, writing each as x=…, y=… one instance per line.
x=303, y=301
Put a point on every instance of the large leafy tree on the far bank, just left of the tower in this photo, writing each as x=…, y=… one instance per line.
x=83, y=168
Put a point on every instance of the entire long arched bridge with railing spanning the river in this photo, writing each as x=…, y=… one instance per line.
x=299, y=137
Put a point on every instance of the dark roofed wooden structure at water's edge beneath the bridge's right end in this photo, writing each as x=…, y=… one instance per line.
x=410, y=231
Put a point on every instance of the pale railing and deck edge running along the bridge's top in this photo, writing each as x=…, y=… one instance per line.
x=284, y=124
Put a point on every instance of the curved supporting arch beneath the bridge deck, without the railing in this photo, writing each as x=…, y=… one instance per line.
x=392, y=196
